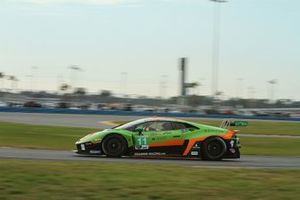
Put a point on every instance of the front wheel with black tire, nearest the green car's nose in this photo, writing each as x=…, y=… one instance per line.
x=114, y=146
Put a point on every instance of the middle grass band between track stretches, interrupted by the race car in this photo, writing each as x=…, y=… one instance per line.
x=63, y=138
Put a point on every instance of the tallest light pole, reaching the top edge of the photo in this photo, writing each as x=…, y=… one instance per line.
x=216, y=46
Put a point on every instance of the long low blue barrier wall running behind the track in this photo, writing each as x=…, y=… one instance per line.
x=135, y=113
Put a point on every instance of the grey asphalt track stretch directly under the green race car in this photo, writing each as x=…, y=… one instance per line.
x=245, y=162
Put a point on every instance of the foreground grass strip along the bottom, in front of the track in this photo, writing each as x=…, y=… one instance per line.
x=32, y=180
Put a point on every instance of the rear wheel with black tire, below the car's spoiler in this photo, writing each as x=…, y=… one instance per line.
x=213, y=148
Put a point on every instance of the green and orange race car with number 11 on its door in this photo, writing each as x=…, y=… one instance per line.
x=159, y=136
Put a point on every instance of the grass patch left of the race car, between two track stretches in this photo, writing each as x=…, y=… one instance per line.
x=41, y=137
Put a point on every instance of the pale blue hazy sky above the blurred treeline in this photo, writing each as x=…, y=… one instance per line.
x=133, y=46
